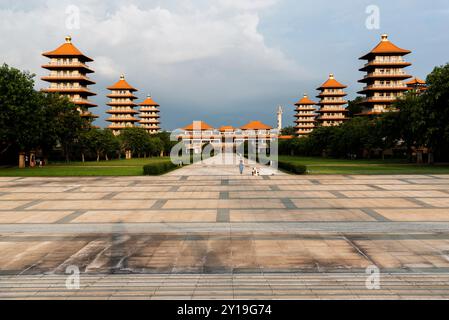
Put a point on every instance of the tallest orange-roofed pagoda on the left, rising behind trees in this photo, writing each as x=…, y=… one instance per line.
x=68, y=76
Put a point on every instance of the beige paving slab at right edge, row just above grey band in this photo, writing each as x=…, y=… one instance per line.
x=415, y=214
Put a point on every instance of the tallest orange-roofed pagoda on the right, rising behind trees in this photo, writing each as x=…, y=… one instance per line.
x=384, y=77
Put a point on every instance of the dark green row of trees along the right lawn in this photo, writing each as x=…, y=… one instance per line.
x=420, y=125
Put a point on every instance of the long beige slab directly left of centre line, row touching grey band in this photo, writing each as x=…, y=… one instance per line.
x=147, y=216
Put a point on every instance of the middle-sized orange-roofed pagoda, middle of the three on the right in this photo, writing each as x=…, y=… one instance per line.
x=332, y=110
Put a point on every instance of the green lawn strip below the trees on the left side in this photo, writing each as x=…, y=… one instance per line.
x=133, y=167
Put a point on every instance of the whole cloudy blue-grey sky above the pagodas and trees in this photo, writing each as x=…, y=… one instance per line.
x=222, y=61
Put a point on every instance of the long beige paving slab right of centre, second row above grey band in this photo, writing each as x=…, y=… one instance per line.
x=355, y=203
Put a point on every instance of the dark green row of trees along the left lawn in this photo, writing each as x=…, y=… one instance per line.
x=51, y=125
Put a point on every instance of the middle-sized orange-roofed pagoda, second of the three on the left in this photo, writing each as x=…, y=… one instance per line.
x=122, y=106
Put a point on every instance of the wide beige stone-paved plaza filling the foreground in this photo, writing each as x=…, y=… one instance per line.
x=192, y=236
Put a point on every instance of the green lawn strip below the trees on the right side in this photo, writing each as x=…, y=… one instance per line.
x=337, y=166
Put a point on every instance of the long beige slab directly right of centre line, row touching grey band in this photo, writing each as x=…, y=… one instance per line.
x=298, y=215
